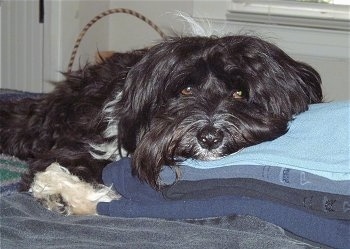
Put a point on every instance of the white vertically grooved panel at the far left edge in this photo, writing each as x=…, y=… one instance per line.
x=21, y=46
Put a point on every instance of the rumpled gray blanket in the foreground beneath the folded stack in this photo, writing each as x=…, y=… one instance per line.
x=26, y=224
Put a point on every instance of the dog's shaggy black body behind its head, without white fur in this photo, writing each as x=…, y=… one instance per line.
x=59, y=126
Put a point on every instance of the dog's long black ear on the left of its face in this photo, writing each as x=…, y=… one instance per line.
x=144, y=93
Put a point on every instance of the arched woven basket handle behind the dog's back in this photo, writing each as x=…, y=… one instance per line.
x=103, y=14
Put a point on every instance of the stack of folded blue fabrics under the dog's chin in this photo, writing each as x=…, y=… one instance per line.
x=300, y=181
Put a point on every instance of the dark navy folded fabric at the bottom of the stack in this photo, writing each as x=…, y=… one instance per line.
x=140, y=200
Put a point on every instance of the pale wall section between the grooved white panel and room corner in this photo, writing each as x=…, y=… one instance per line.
x=64, y=20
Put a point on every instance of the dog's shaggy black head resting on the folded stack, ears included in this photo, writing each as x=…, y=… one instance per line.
x=205, y=98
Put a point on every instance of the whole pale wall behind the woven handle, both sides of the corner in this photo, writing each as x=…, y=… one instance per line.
x=118, y=32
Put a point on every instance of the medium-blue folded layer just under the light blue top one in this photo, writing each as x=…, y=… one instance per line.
x=291, y=178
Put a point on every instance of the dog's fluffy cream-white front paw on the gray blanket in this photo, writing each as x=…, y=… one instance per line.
x=62, y=192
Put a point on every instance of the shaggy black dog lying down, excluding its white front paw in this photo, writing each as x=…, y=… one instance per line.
x=194, y=97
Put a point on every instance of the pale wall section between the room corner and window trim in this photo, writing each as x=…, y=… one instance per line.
x=127, y=32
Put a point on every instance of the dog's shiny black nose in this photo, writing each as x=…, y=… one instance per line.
x=210, y=137
